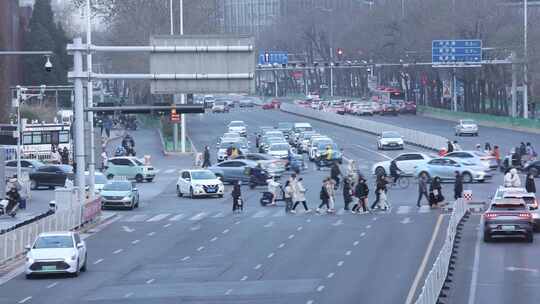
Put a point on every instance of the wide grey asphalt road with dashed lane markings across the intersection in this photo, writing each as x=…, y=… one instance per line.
x=181, y=250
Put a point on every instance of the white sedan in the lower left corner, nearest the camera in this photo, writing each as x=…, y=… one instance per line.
x=56, y=252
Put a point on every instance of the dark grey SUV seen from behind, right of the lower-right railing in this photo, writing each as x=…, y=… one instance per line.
x=508, y=218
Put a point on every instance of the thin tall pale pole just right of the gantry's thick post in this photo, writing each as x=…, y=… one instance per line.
x=90, y=103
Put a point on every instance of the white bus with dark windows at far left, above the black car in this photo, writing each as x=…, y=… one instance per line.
x=37, y=139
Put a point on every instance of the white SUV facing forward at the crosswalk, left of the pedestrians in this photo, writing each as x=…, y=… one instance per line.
x=199, y=183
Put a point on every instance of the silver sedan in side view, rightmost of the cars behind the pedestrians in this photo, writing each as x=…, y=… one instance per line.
x=445, y=168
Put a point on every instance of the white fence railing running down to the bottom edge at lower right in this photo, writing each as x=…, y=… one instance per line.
x=437, y=276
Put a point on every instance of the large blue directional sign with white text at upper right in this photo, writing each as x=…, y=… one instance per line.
x=446, y=52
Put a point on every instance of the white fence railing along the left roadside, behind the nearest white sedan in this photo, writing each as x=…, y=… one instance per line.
x=13, y=243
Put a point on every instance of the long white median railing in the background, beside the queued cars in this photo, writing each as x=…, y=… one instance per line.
x=414, y=137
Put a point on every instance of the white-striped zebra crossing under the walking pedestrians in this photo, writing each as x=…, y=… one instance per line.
x=270, y=212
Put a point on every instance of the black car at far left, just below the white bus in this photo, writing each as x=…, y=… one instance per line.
x=50, y=176
